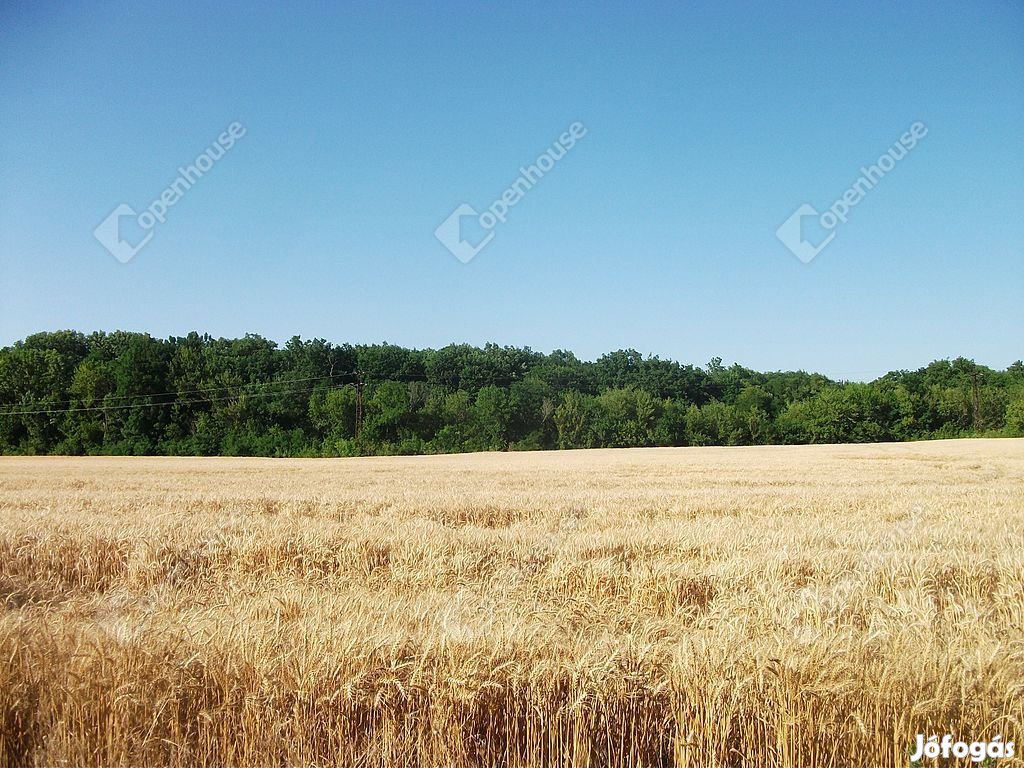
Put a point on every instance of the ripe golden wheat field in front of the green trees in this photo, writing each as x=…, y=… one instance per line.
x=749, y=607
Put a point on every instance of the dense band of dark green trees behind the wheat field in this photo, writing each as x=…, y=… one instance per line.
x=121, y=393
